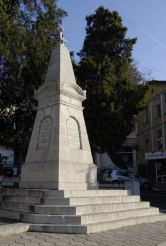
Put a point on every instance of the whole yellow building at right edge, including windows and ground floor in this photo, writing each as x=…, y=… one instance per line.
x=151, y=133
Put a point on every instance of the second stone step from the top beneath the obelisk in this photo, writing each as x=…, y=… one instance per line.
x=74, y=201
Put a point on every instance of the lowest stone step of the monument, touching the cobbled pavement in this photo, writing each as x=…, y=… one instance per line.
x=96, y=227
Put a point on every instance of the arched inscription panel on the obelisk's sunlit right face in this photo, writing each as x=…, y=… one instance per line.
x=73, y=133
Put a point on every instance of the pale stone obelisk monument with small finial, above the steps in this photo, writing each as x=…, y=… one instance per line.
x=59, y=155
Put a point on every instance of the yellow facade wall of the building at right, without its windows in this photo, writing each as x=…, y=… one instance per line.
x=157, y=90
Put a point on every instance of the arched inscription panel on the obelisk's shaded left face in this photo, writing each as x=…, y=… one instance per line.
x=45, y=133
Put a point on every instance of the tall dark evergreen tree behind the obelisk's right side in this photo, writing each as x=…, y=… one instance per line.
x=114, y=86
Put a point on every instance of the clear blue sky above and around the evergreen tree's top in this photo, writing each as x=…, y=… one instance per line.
x=145, y=19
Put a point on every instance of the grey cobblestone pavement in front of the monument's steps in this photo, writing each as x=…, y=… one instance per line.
x=146, y=235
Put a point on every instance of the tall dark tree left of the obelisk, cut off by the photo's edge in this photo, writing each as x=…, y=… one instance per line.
x=28, y=32
